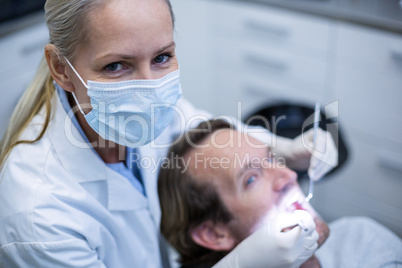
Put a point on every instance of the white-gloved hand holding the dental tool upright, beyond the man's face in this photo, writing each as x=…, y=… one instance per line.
x=297, y=152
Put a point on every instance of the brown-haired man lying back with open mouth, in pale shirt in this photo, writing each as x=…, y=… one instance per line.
x=219, y=185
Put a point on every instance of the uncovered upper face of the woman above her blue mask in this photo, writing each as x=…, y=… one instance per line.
x=126, y=39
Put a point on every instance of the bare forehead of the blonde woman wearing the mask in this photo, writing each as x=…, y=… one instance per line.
x=132, y=27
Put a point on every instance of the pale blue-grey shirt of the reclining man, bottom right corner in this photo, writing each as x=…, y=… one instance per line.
x=360, y=242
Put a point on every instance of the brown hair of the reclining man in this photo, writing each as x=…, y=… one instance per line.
x=185, y=202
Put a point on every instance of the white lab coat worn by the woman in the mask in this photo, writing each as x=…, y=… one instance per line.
x=61, y=206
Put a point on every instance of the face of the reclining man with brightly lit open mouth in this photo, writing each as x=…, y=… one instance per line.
x=252, y=184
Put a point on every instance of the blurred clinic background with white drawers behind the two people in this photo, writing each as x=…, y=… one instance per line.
x=276, y=57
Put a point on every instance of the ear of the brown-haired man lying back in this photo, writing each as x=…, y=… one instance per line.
x=215, y=236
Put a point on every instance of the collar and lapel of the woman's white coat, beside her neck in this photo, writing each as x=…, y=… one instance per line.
x=82, y=163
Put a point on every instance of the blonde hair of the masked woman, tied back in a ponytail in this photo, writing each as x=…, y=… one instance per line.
x=65, y=20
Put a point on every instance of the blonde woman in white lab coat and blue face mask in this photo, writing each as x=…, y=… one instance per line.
x=71, y=194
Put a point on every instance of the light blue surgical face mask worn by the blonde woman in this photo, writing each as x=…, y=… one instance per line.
x=131, y=113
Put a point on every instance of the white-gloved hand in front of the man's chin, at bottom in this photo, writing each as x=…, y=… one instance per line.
x=270, y=247
